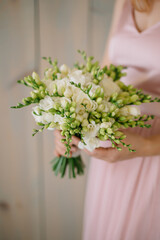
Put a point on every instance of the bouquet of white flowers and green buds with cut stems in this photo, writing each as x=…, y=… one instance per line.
x=86, y=101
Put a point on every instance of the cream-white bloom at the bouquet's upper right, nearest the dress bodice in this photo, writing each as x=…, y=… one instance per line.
x=109, y=86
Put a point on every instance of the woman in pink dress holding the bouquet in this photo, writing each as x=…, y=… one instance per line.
x=123, y=190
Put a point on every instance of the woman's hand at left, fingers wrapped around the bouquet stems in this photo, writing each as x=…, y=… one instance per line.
x=60, y=148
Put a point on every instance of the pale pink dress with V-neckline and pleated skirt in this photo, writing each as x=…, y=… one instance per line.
x=123, y=199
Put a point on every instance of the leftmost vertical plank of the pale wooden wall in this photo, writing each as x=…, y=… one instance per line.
x=19, y=176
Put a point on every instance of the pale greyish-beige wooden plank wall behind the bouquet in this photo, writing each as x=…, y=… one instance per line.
x=34, y=204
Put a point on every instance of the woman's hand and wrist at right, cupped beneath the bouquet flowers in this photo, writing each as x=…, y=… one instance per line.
x=139, y=143
